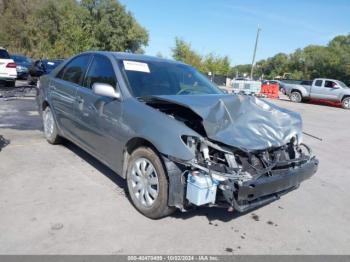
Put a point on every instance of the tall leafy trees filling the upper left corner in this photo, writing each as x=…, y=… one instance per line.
x=59, y=29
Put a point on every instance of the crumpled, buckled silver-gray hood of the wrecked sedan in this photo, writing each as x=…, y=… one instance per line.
x=244, y=122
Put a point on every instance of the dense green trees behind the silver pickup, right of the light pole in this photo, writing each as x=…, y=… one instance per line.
x=313, y=61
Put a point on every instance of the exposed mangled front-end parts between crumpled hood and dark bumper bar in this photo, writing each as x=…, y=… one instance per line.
x=232, y=169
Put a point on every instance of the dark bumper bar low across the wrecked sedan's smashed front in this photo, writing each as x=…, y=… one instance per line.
x=253, y=193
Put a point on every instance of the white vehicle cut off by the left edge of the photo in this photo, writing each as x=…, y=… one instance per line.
x=8, y=71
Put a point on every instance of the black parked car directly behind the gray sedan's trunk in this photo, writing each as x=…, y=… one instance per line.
x=42, y=67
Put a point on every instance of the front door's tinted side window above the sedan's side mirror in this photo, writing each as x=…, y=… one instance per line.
x=100, y=71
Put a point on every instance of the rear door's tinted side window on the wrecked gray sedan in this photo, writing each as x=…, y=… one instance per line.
x=74, y=71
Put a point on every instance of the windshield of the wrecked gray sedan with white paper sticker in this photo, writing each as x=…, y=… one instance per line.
x=164, y=78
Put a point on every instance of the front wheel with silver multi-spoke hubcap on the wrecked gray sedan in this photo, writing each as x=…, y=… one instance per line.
x=148, y=184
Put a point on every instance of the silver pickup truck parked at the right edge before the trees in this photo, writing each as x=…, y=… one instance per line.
x=320, y=88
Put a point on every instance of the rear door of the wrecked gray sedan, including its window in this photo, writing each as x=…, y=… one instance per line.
x=63, y=90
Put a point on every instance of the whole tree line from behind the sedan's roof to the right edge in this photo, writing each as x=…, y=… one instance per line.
x=313, y=61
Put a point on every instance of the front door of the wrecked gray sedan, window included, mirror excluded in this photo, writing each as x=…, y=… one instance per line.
x=99, y=117
